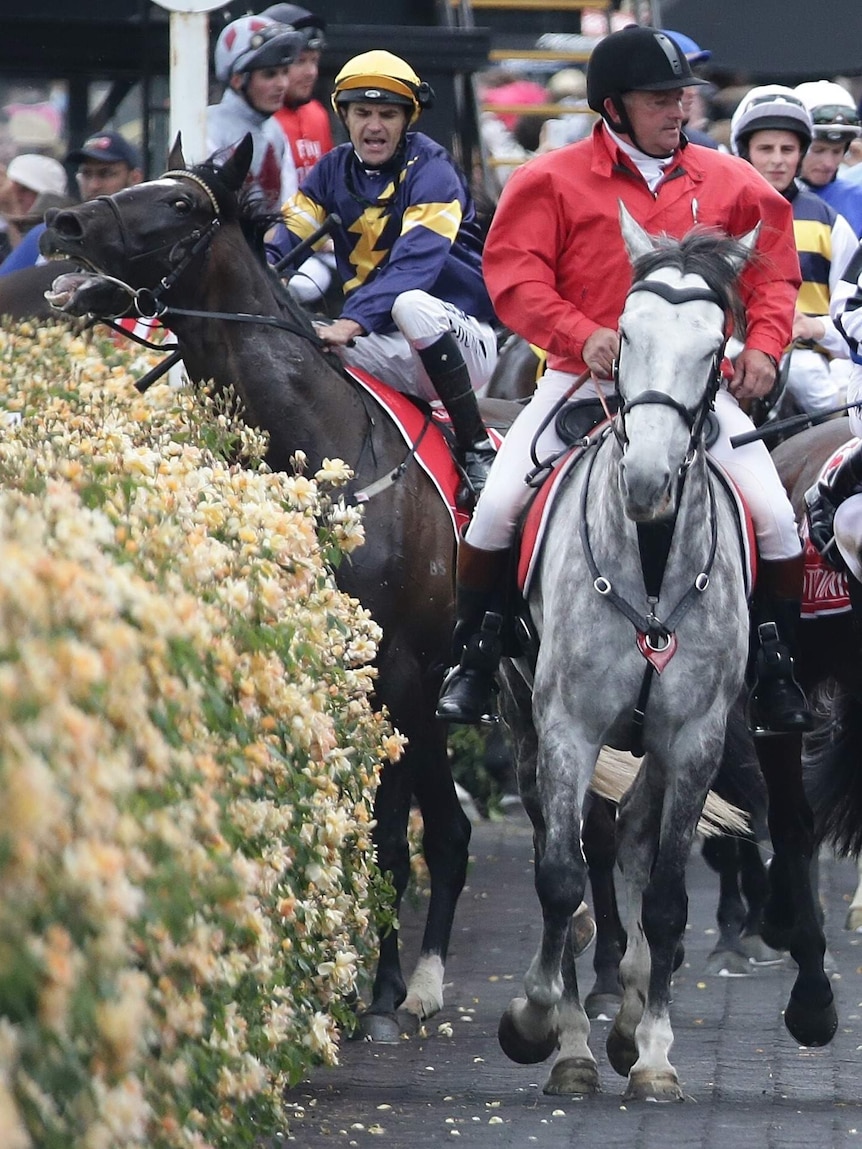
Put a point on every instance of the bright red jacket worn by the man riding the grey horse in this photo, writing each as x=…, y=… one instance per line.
x=556, y=264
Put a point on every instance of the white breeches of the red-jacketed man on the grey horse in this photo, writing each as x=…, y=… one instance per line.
x=506, y=495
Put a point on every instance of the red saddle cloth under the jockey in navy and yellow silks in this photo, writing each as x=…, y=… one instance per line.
x=433, y=451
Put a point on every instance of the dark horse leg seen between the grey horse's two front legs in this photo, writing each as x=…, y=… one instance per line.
x=599, y=836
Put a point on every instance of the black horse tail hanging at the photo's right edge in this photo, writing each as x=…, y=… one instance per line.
x=833, y=764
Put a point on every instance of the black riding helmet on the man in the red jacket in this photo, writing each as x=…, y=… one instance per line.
x=636, y=59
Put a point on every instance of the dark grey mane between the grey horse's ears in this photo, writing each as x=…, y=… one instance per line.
x=705, y=252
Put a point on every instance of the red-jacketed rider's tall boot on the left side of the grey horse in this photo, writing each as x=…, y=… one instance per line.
x=467, y=693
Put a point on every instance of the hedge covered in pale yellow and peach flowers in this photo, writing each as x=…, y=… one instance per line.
x=189, y=760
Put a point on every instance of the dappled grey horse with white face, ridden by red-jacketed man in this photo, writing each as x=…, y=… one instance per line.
x=652, y=476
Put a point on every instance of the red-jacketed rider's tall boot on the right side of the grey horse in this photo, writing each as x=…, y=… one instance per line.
x=778, y=704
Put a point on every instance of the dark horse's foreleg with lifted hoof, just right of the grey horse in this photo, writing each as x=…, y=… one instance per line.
x=792, y=917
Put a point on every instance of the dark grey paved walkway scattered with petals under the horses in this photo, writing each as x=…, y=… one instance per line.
x=750, y=1086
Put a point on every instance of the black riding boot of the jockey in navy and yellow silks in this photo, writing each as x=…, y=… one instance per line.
x=448, y=372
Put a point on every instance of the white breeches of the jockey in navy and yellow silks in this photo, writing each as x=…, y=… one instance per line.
x=421, y=320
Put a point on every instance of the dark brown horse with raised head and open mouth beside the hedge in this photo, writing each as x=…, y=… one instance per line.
x=181, y=241
